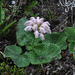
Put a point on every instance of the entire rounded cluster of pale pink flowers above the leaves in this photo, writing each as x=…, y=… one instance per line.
x=38, y=26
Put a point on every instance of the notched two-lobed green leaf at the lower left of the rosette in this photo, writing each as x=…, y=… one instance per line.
x=14, y=52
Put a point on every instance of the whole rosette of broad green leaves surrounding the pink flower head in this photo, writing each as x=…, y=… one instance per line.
x=43, y=51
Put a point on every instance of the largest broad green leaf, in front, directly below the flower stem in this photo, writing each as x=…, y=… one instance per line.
x=43, y=53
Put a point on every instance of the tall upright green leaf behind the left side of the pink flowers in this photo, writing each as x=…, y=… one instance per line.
x=23, y=37
